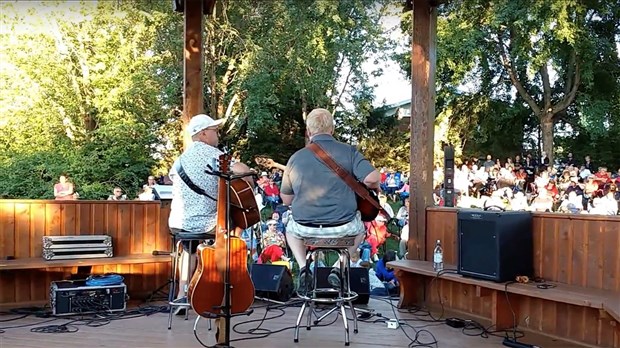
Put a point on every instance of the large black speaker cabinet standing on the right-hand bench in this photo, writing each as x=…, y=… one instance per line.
x=495, y=245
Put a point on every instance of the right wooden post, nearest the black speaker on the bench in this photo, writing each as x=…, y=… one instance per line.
x=423, y=58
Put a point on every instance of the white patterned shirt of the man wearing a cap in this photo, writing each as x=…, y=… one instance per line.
x=189, y=210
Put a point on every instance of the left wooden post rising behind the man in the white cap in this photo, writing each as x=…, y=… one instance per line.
x=193, y=50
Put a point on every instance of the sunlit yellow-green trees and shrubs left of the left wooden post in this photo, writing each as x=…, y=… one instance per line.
x=85, y=102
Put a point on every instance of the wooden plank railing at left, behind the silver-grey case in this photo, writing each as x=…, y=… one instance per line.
x=136, y=228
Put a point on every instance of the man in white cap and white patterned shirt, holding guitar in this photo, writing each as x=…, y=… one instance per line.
x=191, y=212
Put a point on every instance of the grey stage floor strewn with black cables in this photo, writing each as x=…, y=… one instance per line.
x=151, y=331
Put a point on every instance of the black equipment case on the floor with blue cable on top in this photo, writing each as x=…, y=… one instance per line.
x=69, y=297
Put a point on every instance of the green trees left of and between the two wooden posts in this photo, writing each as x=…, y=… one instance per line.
x=94, y=89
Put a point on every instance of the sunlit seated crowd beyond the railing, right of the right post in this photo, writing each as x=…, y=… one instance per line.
x=533, y=185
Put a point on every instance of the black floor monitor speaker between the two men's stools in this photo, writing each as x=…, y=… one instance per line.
x=272, y=281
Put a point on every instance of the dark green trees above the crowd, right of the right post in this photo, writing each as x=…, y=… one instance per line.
x=475, y=91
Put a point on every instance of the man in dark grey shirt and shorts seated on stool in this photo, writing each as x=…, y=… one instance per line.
x=323, y=205
